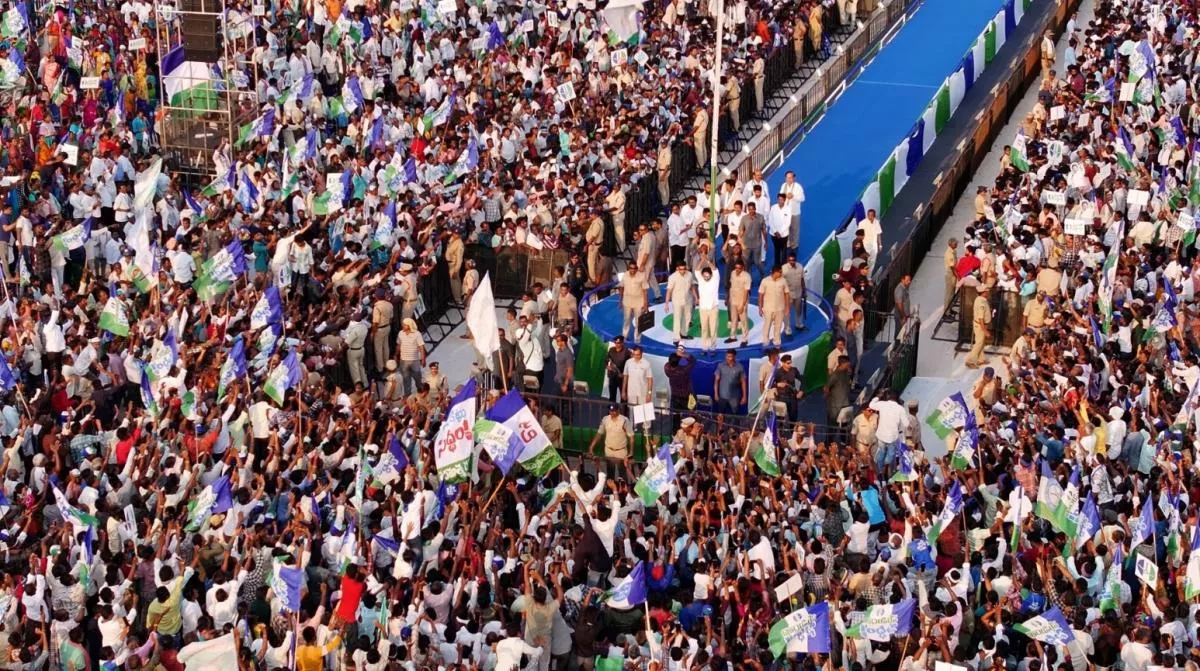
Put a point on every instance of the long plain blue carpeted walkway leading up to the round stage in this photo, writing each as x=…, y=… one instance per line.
x=842, y=155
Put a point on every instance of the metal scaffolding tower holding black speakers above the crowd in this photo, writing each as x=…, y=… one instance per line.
x=215, y=91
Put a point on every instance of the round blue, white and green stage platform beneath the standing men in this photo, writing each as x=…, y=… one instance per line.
x=603, y=322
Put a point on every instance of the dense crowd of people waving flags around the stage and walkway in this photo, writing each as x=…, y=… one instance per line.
x=226, y=444
